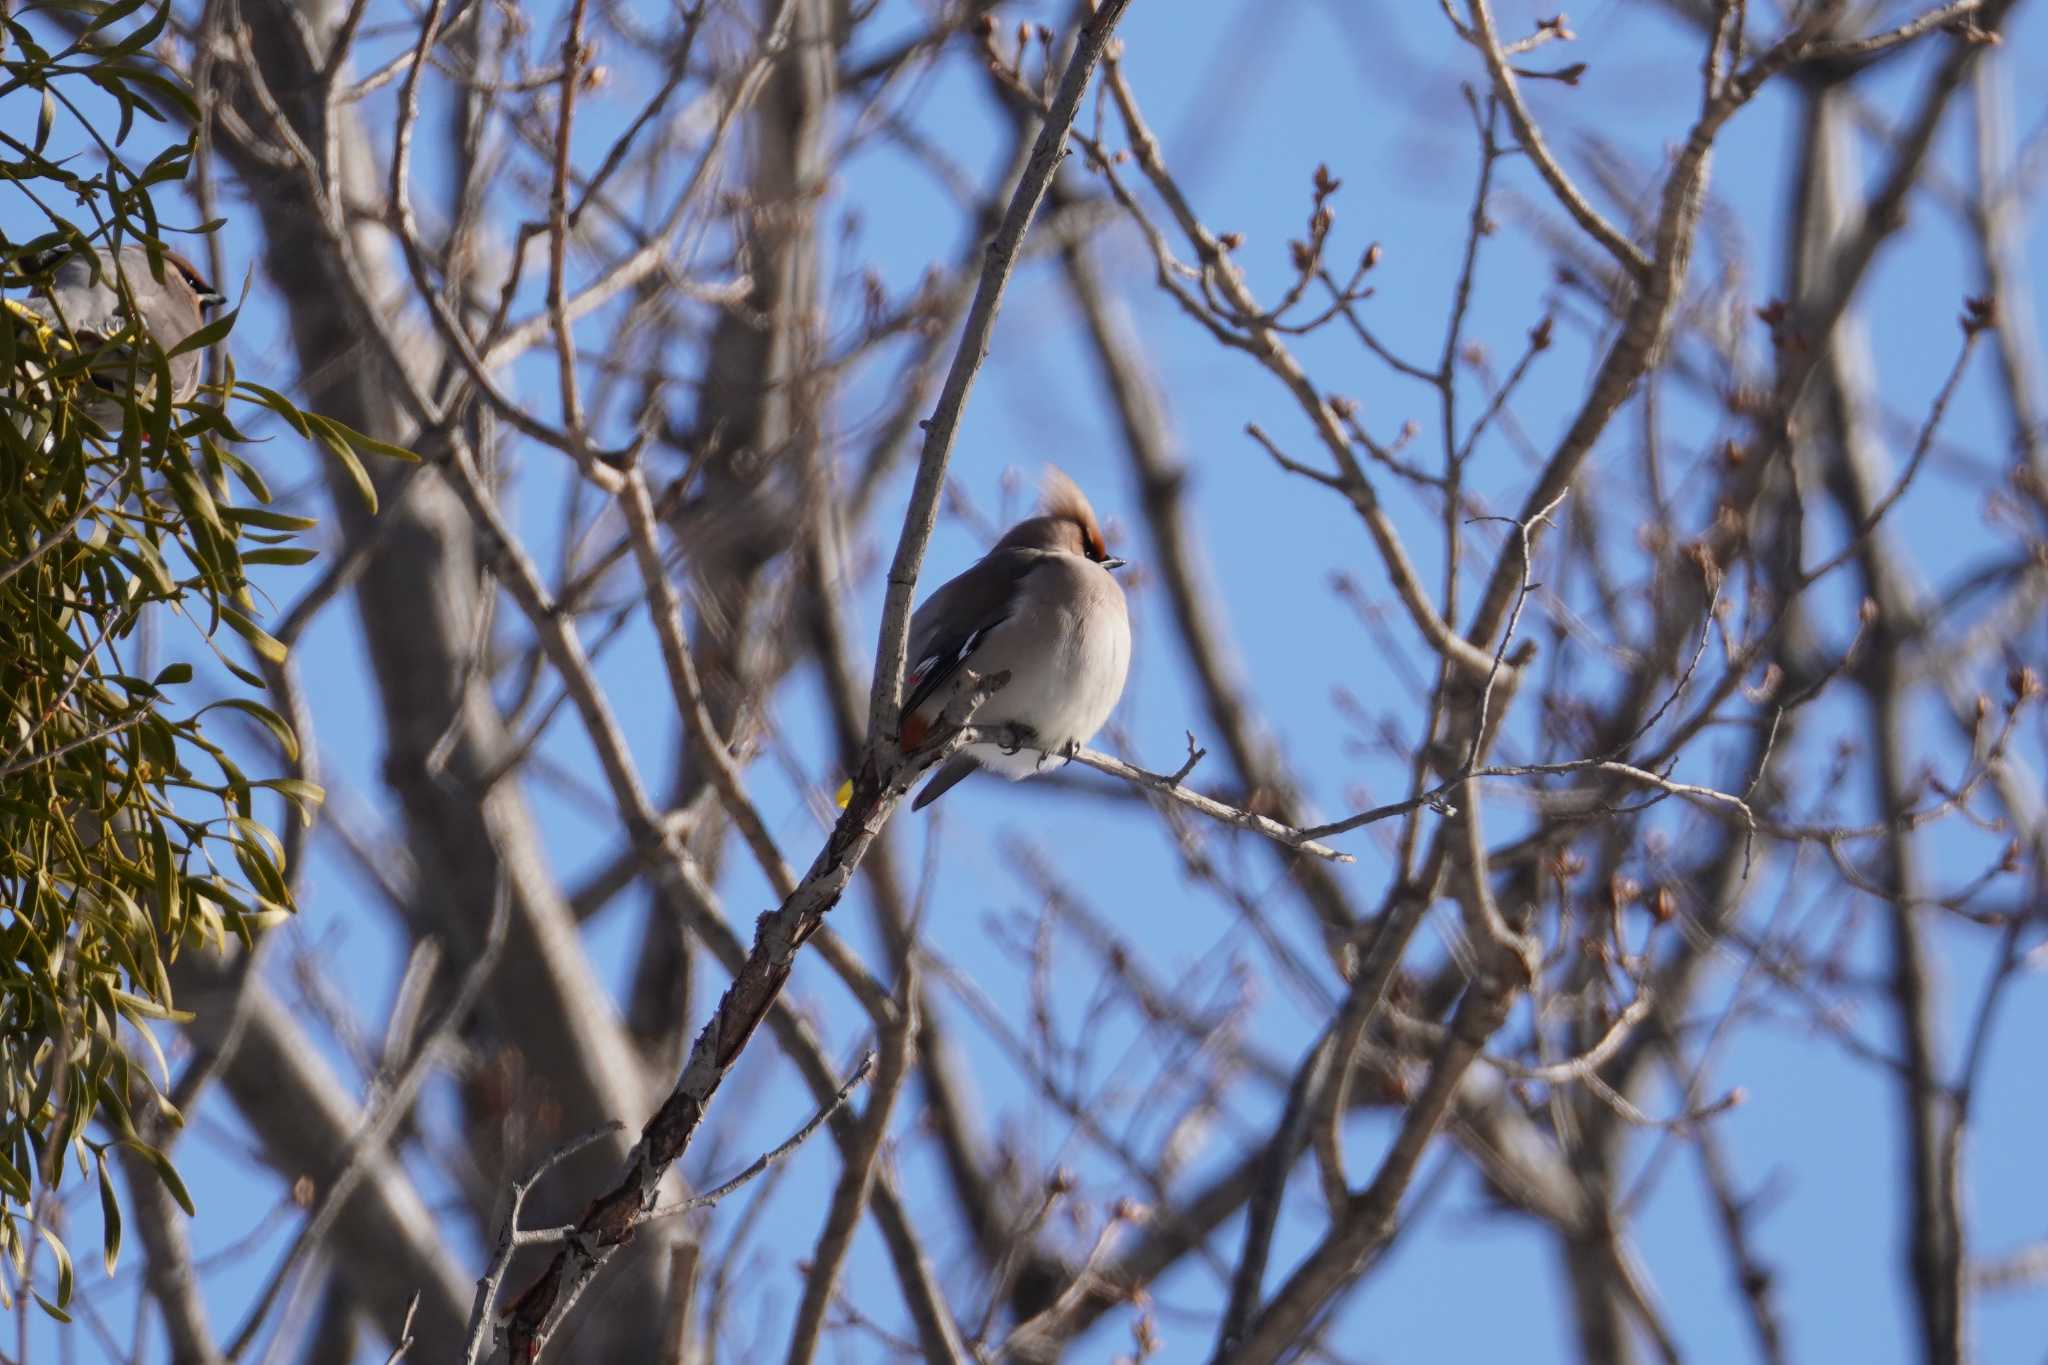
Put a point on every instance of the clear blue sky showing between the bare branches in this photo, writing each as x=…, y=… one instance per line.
x=1248, y=101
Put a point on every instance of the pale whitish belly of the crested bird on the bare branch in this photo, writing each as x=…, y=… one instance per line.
x=1066, y=693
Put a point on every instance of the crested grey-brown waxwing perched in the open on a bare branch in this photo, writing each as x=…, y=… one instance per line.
x=1043, y=609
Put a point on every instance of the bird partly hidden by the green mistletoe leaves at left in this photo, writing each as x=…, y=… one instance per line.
x=87, y=306
